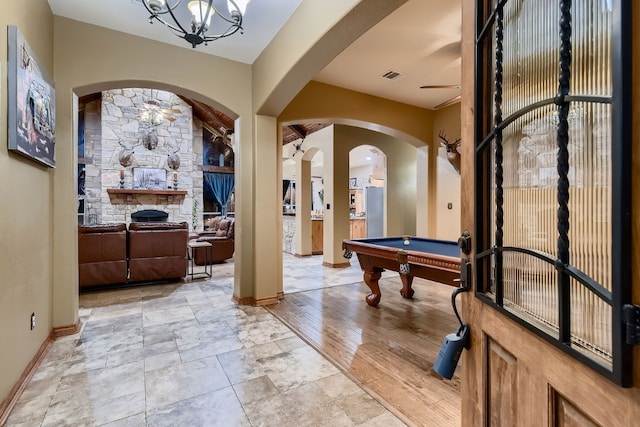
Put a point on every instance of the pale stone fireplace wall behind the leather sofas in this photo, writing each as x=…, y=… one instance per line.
x=118, y=127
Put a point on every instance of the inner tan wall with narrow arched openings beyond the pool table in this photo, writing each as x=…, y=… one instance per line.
x=336, y=142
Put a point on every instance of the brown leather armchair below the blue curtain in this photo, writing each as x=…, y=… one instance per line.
x=221, y=235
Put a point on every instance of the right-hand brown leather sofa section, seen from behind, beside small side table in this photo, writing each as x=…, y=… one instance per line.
x=157, y=251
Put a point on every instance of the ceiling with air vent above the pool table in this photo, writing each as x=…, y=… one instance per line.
x=420, y=40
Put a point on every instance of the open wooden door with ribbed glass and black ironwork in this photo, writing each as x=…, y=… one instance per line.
x=512, y=373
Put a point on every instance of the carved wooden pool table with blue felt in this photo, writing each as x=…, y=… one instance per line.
x=437, y=260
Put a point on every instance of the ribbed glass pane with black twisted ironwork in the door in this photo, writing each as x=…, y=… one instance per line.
x=553, y=172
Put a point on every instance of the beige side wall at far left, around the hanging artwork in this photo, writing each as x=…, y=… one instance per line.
x=26, y=224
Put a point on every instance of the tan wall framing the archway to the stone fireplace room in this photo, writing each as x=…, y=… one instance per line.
x=89, y=59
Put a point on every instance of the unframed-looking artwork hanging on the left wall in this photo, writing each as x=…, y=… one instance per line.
x=31, y=103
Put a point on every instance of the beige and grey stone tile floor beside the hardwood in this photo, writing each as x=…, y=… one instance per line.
x=184, y=354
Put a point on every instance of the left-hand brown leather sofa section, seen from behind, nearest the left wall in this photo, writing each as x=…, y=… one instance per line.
x=102, y=255
